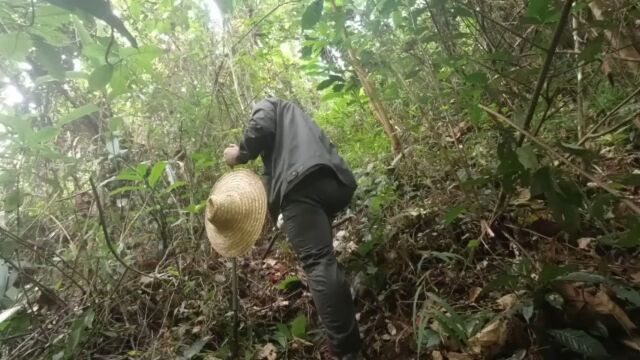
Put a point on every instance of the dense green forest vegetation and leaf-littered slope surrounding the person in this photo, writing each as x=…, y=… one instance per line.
x=496, y=146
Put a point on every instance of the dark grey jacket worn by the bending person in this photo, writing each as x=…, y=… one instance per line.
x=290, y=145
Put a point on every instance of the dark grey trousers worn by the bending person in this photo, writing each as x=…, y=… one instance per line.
x=308, y=209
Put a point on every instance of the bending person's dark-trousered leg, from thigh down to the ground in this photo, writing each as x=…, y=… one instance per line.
x=309, y=231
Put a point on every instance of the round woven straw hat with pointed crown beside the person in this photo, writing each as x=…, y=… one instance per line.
x=236, y=211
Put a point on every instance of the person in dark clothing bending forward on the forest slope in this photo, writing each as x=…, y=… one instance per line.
x=308, y=183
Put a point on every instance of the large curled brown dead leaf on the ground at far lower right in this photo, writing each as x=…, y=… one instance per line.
x=579, y=299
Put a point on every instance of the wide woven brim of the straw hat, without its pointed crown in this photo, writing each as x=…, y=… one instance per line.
x=238, y=239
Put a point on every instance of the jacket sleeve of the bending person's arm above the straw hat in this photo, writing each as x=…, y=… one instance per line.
x=259, y=133
